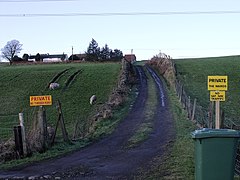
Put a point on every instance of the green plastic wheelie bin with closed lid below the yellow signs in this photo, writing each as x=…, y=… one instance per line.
x=215, y=153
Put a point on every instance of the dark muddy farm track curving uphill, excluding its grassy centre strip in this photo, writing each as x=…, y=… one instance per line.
x=108, y=158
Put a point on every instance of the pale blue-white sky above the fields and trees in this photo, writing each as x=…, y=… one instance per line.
x=186, y=28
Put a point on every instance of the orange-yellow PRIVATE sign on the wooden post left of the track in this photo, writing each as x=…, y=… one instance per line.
x=41, y=100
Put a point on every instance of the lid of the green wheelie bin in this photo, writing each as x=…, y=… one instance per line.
x=210, y=133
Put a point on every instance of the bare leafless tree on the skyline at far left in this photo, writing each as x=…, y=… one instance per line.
x=11, y=49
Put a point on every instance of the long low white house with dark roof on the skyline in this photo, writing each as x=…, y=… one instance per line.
x=48, y=57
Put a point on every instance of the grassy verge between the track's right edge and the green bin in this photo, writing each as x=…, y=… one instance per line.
x=178, y=163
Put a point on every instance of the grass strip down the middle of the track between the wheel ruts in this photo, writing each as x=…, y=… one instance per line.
x=146, y=127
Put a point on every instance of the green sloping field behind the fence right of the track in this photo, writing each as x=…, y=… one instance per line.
x=193, y=73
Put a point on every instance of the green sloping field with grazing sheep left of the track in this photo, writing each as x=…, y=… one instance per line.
x=78, y=82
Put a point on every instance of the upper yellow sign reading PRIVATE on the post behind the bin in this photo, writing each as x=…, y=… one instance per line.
x=217, y=83
